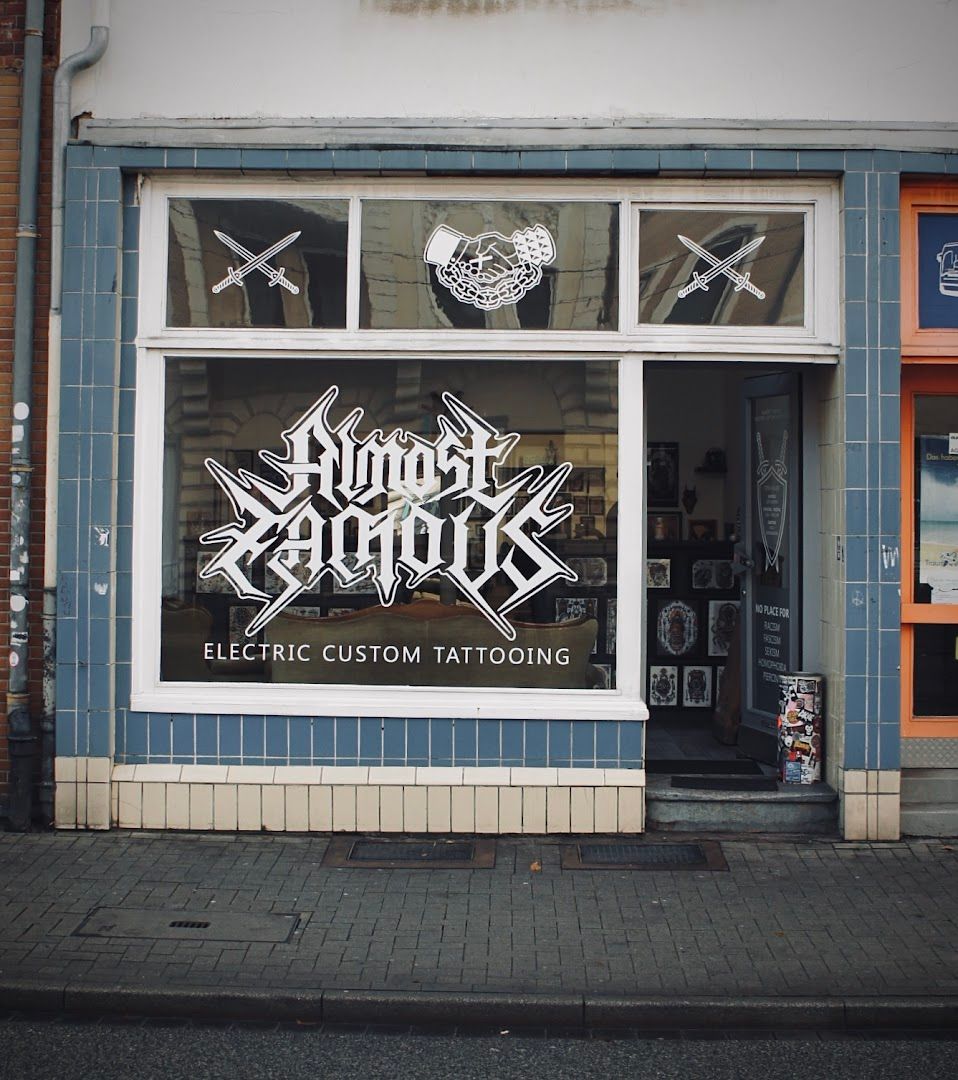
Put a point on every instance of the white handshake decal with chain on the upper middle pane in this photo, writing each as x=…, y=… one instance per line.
x=491, y=269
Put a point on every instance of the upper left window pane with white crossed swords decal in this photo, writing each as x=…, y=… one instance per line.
x=258, y=263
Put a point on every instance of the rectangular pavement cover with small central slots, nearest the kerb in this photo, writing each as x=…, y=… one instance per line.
x=187, y=926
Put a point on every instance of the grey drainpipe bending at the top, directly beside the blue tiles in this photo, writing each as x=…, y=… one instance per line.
x=100, y=35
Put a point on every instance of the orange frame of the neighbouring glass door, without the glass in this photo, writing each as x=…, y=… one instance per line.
x=920, y=380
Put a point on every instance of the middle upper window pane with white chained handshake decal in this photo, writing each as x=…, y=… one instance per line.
x=490, y=265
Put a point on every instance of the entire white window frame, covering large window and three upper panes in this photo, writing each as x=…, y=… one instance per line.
x=629, y=346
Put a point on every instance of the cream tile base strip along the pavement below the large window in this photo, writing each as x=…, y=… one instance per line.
x=443, y=801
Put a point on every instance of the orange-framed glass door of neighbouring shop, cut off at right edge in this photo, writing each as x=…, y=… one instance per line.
x=930, y=551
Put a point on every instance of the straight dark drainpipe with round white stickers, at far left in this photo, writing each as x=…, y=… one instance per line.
x=21, y=730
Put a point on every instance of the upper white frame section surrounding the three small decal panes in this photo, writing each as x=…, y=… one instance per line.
x=820, y=340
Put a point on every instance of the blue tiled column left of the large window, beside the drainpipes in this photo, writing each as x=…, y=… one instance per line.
x=88, y=475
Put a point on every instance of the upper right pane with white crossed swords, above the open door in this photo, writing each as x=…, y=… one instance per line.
x=722, y=268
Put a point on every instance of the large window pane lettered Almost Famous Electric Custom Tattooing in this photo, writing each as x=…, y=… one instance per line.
x=412, y=522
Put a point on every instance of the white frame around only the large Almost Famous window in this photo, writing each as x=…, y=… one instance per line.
x=150, y=694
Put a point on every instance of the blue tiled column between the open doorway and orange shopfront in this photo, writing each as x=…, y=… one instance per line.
x=872, y=455
